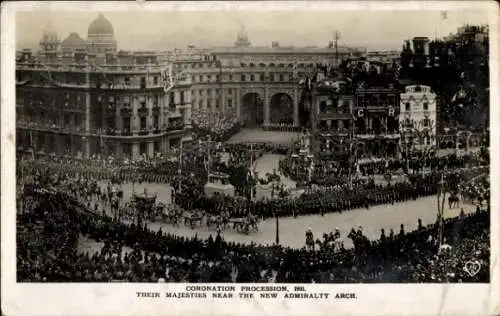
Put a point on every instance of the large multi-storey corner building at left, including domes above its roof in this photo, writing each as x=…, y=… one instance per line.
x=90, y=100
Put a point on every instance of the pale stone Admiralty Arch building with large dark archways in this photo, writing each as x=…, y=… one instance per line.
x=258, y=84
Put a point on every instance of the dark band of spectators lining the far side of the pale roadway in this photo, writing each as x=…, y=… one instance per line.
x=335, y=198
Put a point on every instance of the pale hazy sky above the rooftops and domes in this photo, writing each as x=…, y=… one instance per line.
x=150, y=30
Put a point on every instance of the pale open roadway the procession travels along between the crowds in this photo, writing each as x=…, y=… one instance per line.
x=292, y=230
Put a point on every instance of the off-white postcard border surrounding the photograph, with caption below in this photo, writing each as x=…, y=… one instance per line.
x=120, y=299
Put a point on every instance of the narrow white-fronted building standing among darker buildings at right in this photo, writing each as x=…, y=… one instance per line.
x=418, y=118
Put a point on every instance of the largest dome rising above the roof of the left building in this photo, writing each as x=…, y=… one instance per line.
x=101, y=37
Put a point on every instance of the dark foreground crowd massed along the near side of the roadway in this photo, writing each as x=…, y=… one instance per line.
x=48, y=252
